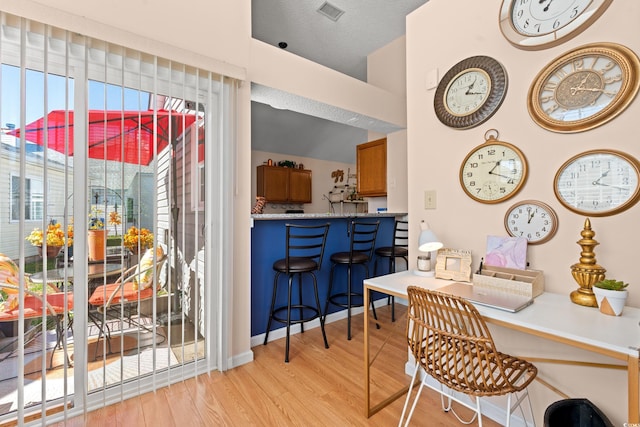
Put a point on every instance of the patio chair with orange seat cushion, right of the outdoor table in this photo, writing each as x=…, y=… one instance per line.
x=134, y=286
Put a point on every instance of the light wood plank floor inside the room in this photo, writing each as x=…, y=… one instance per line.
x=318, y=387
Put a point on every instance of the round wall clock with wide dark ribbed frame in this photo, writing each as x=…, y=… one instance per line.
x=470, y=92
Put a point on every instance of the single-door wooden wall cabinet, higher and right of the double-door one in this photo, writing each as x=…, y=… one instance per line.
x=372, y=168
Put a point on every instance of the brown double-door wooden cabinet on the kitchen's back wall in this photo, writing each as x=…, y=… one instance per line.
x=284, y=185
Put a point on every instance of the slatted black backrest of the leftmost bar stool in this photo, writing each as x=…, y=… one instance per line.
x=306, y=241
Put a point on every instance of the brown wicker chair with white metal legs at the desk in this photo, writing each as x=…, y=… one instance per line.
x=451, y=342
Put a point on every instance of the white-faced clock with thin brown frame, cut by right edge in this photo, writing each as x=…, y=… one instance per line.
x=598, y=182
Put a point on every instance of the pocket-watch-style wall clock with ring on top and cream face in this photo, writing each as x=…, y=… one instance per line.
x=494, y=171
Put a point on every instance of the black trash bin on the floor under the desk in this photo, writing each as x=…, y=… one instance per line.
x=575, y=413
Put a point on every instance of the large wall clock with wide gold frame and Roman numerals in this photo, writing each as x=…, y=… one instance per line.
x=584, y=88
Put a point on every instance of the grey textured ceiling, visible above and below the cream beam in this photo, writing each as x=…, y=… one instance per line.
x=307, y=128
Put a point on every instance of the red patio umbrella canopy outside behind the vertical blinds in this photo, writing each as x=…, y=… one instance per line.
x=112, y=128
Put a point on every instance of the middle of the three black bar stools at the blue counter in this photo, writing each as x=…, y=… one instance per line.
x=362, y=242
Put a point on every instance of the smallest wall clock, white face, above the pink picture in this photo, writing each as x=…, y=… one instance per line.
x=534, y=220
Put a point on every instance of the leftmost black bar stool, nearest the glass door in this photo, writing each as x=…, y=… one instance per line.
x=303, y=254
